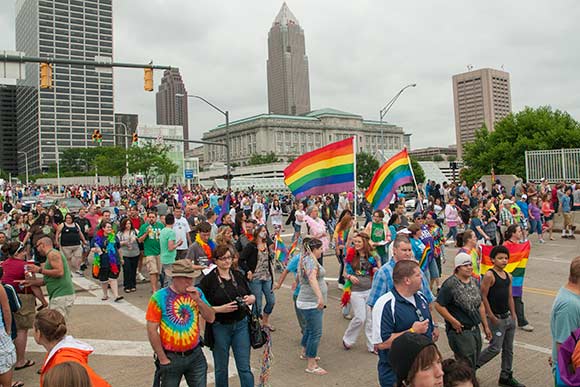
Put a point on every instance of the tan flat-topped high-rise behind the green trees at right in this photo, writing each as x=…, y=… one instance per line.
x=480, y=97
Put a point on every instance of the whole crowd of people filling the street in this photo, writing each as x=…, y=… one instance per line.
x=209, y=258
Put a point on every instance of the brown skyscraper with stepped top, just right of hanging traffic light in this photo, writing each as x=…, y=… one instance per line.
x=172, y=109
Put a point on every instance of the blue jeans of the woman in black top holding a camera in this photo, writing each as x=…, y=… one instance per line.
x=237, y=337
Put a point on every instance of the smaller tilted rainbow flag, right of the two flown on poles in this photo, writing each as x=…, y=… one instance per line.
x=393, y=174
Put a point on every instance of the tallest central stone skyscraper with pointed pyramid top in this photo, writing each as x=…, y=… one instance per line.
x=288, y=80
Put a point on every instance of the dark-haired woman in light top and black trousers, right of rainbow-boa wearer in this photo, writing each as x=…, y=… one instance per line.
x=130, y=253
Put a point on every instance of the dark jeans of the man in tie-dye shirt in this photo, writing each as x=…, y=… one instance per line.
x=193, y=367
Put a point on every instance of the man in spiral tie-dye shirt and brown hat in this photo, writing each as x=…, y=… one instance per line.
x=173, y=328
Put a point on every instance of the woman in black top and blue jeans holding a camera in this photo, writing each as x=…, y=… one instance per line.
x=228, y=292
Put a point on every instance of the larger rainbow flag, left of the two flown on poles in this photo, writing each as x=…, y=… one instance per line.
x=329, y=169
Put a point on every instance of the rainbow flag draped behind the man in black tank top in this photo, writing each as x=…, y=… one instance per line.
x=519, y=254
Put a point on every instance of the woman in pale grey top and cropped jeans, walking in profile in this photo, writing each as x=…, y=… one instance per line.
x=311, y=302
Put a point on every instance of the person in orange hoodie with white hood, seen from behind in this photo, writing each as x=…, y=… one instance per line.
x=50, y=332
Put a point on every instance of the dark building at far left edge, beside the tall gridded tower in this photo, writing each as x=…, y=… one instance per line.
x=8, y=152
